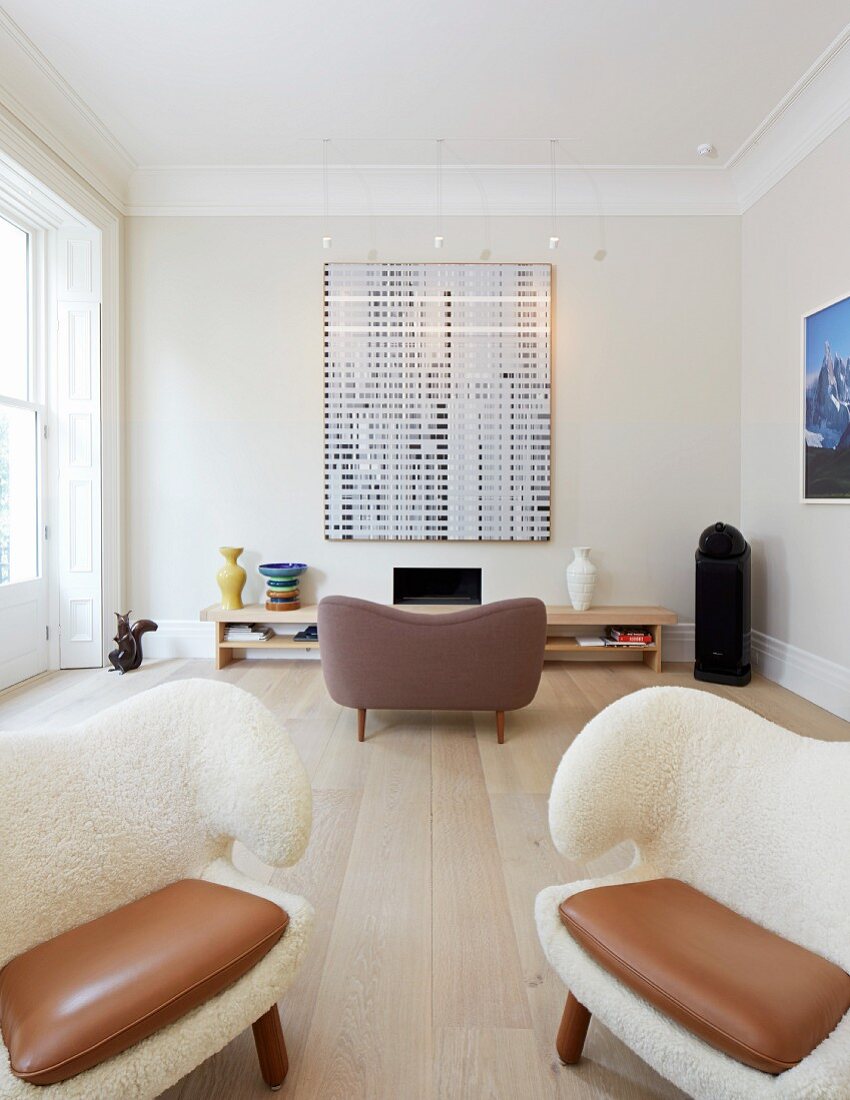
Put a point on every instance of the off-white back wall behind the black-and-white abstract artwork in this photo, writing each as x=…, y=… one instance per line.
x=225, y=404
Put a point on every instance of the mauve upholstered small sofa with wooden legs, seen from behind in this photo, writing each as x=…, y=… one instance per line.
x=487, y=658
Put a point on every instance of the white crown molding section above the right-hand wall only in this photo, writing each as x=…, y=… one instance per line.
x=808, y=115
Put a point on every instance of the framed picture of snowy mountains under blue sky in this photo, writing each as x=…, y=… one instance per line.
x=826, y=403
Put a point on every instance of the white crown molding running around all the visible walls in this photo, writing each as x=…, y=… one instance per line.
x=35, y=94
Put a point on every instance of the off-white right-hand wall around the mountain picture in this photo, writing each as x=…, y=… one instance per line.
x=796, y=258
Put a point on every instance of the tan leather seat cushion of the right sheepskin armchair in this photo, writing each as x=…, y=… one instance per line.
x=747, y=992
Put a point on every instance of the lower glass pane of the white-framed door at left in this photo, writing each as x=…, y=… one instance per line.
x=19, y=513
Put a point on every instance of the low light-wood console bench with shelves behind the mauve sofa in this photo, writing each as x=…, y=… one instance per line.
x=560, y=641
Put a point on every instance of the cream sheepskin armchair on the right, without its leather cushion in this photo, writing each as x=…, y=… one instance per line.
x=749, y=813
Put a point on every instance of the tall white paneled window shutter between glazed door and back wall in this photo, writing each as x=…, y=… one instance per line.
x=79, y=425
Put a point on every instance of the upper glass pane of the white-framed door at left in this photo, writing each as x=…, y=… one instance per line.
x=14, y=313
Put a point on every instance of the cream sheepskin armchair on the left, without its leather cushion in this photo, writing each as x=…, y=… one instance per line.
x=148, y=793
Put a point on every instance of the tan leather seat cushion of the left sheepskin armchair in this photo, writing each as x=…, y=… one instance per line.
x=76, y=1000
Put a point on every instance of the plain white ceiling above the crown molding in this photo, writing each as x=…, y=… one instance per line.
x=262, y=82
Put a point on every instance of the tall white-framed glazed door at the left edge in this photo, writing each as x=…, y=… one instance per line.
x=24, y=584
